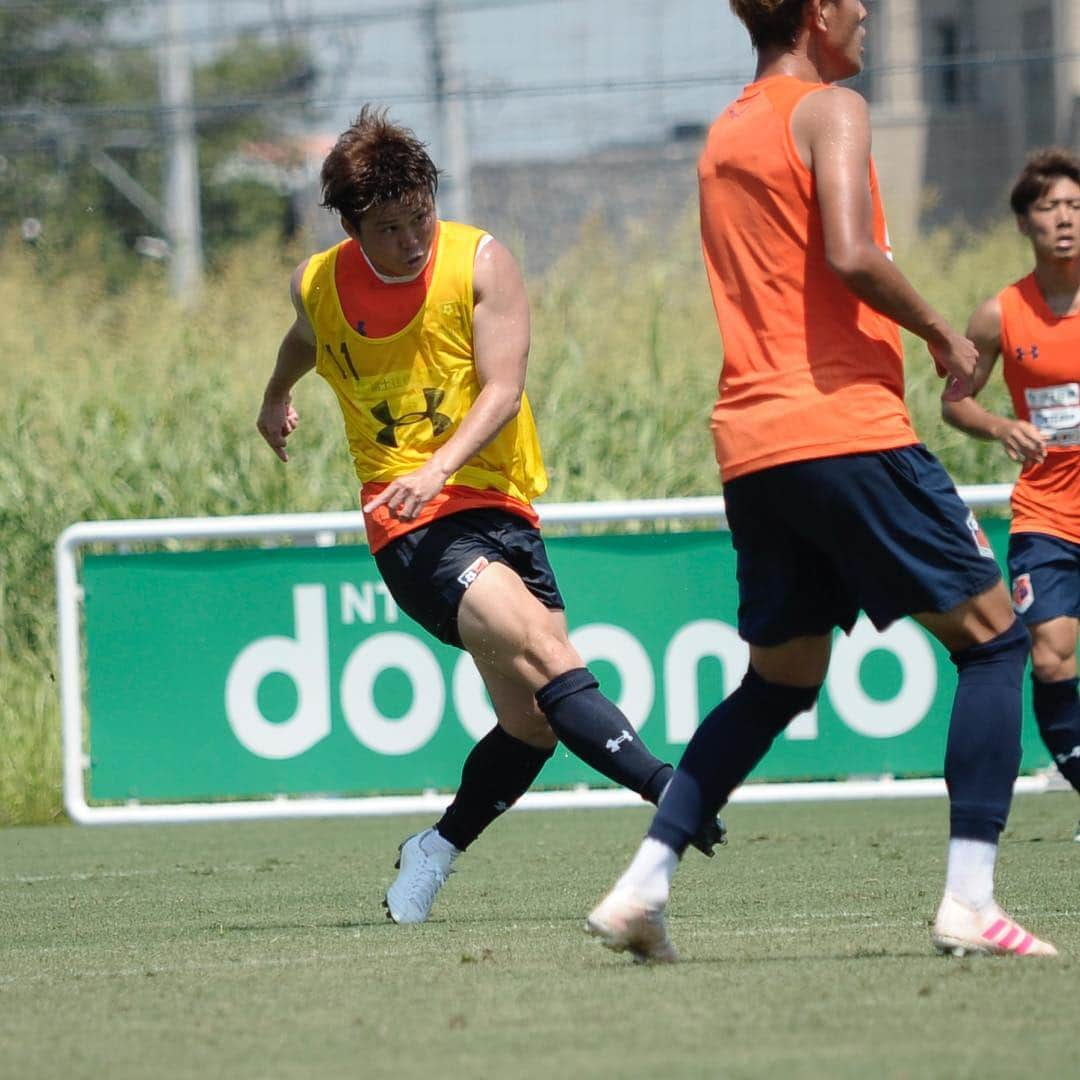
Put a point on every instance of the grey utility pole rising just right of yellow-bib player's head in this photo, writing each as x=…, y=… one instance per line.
x=456, y=191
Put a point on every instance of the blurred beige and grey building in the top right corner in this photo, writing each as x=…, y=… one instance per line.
x=962, y=90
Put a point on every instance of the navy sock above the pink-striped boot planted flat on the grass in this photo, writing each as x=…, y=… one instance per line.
x=982, y=757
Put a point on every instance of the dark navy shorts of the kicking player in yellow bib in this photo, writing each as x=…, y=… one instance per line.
x=429, y=570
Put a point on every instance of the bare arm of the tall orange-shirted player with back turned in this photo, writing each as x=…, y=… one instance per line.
x=832, y=133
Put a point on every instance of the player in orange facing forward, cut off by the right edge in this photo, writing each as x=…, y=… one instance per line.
x=1034, y=326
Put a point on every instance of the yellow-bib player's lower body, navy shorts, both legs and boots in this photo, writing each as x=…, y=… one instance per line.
x=433, y=574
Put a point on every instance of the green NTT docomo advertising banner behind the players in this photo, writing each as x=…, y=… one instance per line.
x=245, y=673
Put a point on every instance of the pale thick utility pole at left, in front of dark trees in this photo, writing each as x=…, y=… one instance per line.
x=182, y=175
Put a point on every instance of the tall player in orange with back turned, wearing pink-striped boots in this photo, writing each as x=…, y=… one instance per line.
x=833, y=505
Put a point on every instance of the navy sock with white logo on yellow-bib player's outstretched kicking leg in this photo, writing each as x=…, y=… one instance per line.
x=595, y=730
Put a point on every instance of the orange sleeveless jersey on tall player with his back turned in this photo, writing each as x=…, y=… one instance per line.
x=809, y=371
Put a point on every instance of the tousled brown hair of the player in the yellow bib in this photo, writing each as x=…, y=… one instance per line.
x=374, y=163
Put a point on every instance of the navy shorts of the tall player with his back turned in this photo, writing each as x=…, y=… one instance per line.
x=817, y=542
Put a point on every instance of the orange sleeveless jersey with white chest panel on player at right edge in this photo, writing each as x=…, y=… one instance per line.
x=1042, y=358
